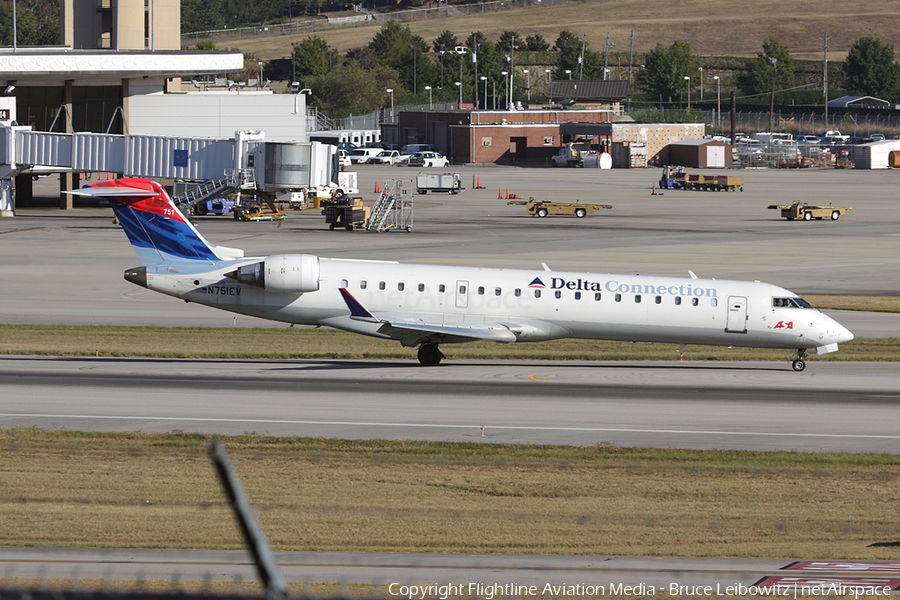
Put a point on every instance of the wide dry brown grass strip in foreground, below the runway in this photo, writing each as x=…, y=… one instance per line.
x=77, y=489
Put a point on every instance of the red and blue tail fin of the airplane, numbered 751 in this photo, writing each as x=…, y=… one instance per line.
x=157, y=230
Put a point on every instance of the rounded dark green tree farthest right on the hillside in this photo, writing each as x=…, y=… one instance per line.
x=870, y=69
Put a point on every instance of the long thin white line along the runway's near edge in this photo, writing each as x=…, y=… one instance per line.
x=455, y=426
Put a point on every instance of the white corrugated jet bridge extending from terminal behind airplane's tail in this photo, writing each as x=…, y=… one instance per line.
x=24, y=151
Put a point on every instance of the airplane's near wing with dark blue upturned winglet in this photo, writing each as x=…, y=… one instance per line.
x=411, y=331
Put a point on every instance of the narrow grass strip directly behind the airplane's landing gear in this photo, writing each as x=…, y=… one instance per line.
x=304, y=343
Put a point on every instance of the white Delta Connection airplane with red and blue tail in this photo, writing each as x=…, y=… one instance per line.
x=428, y=305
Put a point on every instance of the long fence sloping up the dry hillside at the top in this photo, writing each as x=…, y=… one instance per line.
x=443, y=10
